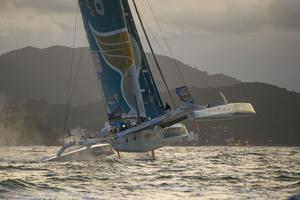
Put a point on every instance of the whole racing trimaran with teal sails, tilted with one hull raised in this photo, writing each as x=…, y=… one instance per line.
x=138, y=120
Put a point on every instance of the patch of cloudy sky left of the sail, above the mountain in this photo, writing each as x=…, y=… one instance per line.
x=38, y=23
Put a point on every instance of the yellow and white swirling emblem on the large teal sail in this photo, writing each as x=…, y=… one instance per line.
x=116, y=51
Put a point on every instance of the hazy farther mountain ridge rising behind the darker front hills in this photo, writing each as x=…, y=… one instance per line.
x=33, y=72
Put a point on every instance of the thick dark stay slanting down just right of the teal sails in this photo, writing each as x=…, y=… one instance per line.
x=152, y=51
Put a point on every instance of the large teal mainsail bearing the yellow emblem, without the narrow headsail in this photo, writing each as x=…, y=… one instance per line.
x=113, y=57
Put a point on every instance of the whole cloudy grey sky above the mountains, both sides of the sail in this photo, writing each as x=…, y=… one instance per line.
x=251, y=40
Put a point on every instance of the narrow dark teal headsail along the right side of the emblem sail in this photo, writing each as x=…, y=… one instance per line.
x=151, y=97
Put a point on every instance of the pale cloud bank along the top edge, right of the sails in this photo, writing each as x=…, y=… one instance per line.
x=223, y=17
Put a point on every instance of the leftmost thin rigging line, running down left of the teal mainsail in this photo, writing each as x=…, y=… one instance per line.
x=67, y=109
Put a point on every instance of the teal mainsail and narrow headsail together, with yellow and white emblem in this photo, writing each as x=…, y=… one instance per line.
x=127, y=83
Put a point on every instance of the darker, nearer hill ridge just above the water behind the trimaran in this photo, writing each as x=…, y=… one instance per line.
x=275, y=121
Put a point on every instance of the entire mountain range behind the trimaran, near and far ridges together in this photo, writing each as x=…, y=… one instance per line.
x=33, y=89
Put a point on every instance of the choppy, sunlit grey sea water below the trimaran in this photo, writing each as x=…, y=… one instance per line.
x=178, y=173
